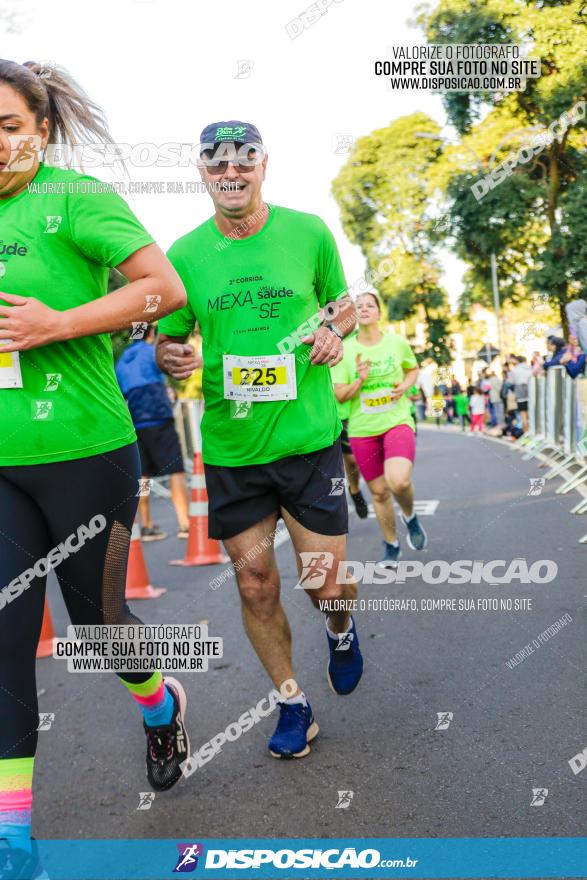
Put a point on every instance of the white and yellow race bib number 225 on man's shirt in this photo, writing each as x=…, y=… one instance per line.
x=268, y=377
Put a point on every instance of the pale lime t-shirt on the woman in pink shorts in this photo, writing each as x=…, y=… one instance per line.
x=372, y=412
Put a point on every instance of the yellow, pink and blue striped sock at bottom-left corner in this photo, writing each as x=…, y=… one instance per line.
x=16, y=800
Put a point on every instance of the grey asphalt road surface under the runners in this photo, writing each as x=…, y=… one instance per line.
x=512, y=729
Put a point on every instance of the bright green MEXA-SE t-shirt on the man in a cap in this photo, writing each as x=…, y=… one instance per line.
x=254, y=297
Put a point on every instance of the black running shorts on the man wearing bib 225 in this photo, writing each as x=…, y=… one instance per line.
x=310, y=487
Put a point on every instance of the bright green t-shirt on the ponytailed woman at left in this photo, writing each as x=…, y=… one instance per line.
x=58, y=238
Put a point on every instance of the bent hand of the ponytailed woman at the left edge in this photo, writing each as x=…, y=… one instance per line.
x=27, y=322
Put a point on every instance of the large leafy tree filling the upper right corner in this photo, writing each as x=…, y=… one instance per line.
x=533, y=219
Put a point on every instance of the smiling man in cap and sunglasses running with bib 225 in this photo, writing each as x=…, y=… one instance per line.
x=266, y=286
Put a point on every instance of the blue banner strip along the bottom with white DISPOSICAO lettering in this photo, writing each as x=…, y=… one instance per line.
x=305, y=858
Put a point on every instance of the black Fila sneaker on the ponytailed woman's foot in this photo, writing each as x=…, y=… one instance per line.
x=168, y=746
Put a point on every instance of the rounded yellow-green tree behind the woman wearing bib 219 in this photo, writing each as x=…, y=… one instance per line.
x=383, y=193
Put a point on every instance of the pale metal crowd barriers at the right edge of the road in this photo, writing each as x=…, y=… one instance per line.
x=557, y=429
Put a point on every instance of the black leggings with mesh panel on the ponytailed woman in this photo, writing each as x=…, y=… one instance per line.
x=41, y=506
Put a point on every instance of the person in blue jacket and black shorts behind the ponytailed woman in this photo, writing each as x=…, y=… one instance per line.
x=145, y=390
